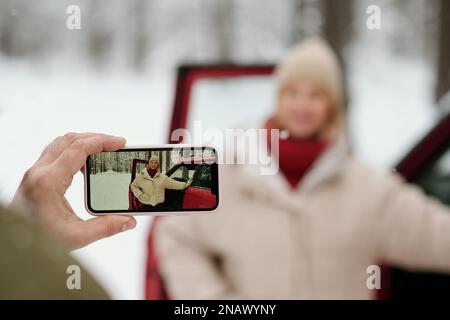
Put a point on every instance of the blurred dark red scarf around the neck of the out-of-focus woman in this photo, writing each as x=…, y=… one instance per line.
x=296, y=157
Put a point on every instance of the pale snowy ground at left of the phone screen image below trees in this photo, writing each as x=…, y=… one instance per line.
x=109, y=190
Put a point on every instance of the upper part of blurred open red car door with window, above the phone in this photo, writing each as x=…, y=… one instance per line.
x=203, y=92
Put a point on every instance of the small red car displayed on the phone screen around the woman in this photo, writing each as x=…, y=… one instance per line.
x=201, y=194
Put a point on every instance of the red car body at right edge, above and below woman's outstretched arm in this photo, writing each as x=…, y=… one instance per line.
x=427, y=166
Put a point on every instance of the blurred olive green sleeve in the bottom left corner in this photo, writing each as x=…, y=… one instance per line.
x=34, y=266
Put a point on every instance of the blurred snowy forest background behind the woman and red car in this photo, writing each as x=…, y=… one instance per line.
x=121, y=66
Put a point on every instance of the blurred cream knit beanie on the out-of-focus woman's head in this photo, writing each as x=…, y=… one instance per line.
x=313, y=60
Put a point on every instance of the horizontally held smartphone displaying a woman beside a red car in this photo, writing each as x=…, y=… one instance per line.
x=152, y=180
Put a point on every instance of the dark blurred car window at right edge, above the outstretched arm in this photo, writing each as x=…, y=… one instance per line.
x=435, y=180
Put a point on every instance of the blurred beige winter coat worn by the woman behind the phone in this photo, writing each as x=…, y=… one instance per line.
x=268, y=241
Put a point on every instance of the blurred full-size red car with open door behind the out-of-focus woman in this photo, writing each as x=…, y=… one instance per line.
x=427, y=165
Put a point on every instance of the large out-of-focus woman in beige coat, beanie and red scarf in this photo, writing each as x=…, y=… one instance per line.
x=316, y=228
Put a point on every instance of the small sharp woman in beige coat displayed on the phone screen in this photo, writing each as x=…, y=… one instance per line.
x=149, y=186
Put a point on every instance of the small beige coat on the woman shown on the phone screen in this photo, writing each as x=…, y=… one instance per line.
x=150, y=190
